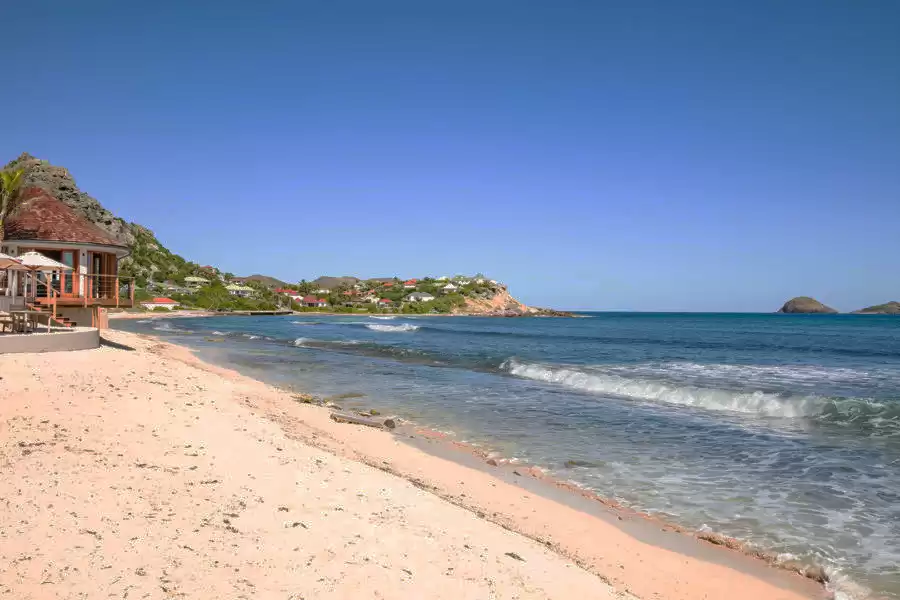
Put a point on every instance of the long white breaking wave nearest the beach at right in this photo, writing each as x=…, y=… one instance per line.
x=765, y=404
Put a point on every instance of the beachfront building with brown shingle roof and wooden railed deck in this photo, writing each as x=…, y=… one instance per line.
x=75, y=295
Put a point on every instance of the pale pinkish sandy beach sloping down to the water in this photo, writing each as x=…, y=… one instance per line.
x=138, y=471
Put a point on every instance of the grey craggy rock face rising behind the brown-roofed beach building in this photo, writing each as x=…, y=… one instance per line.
x=60, y=184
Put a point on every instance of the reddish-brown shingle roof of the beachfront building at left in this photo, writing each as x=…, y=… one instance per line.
x=43, y=217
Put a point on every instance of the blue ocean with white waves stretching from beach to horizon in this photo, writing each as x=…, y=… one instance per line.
x=780, y=430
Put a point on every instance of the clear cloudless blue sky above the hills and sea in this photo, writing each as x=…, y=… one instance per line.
x=638, y=155
